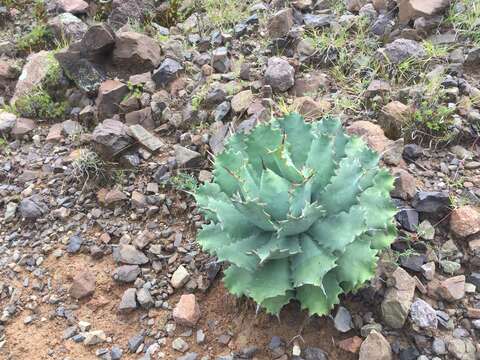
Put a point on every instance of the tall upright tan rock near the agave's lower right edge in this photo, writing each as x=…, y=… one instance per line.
x=398, y=299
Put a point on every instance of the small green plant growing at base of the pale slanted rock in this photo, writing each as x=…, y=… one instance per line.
x=39, y=104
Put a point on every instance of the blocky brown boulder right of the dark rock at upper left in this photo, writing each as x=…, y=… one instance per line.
x=136, y=53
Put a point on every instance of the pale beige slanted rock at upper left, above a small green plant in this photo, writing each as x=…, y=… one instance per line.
x=33, y=73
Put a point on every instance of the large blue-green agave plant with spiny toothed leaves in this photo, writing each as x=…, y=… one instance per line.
x=299, y=211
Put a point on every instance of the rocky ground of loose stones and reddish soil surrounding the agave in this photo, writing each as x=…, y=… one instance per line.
x=111, y=113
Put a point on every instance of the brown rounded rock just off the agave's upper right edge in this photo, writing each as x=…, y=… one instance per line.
x=393, y=118
